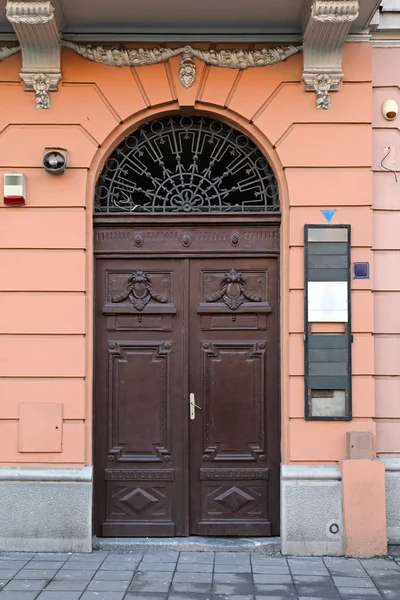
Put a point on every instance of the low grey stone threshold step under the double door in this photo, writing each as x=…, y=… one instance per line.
x=270, y=545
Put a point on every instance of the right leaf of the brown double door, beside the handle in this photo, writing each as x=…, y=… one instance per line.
x=233, y=376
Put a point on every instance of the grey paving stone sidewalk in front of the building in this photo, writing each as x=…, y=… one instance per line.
x=193, y=575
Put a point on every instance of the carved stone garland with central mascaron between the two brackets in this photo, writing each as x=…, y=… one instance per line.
x=118, y=56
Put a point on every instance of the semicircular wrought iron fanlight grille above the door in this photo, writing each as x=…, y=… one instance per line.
x=186, y=164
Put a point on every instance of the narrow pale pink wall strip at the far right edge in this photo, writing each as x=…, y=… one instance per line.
x=386, y=245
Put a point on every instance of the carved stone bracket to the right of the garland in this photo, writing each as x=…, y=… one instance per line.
x=326, y=25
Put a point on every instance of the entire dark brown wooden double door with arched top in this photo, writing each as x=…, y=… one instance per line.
x=186, y=347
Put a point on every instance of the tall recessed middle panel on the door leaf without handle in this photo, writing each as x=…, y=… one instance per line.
x=140, y=401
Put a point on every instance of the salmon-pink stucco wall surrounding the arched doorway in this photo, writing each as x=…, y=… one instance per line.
x=322, y=159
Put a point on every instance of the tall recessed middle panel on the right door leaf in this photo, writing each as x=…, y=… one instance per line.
x=226, y=365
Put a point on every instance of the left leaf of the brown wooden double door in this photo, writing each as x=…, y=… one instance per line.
x=139, y=420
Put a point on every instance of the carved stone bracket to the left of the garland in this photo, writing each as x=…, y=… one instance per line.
x=38, y=33
